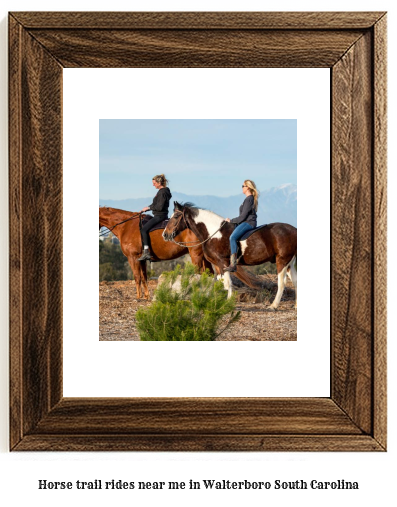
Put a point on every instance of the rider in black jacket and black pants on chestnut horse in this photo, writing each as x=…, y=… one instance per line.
x=159, y=207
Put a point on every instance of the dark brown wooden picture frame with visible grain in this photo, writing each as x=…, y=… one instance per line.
x=353, y=46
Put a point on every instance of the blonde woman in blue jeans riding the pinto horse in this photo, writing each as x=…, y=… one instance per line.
x=245, y=221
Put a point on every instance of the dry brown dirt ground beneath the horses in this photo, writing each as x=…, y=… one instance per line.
x=118, y=305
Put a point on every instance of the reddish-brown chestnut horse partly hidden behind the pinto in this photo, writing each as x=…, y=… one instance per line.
x=125, y=225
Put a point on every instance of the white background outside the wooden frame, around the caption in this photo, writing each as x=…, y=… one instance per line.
x=19, y=473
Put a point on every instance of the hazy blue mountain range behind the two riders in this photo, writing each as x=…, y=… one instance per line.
x=277, y=204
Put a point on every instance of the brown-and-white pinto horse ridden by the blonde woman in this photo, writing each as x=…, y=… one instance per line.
x=276, y=243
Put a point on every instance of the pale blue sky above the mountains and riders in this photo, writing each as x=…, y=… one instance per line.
x=199, y=157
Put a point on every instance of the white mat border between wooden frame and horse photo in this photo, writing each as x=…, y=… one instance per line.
x=93, y=368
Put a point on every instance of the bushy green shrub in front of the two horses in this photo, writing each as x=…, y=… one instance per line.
x=196, y=312
